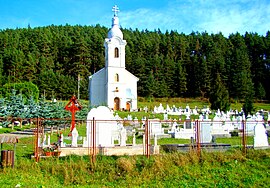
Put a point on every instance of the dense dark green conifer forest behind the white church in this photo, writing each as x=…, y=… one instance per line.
x=169, y=64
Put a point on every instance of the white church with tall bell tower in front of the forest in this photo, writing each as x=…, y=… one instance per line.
x=113, y=85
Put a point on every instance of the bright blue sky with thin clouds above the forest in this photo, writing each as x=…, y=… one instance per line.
x=212, y=16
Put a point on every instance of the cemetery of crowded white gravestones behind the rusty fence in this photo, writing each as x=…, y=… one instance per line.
x=106, y=133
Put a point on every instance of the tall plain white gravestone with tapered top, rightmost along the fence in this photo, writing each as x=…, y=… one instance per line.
x=260, y=136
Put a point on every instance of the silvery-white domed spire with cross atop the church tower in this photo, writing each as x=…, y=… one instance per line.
x=115, y=30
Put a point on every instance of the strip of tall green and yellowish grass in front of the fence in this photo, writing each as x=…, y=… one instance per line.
x=227, y=169
